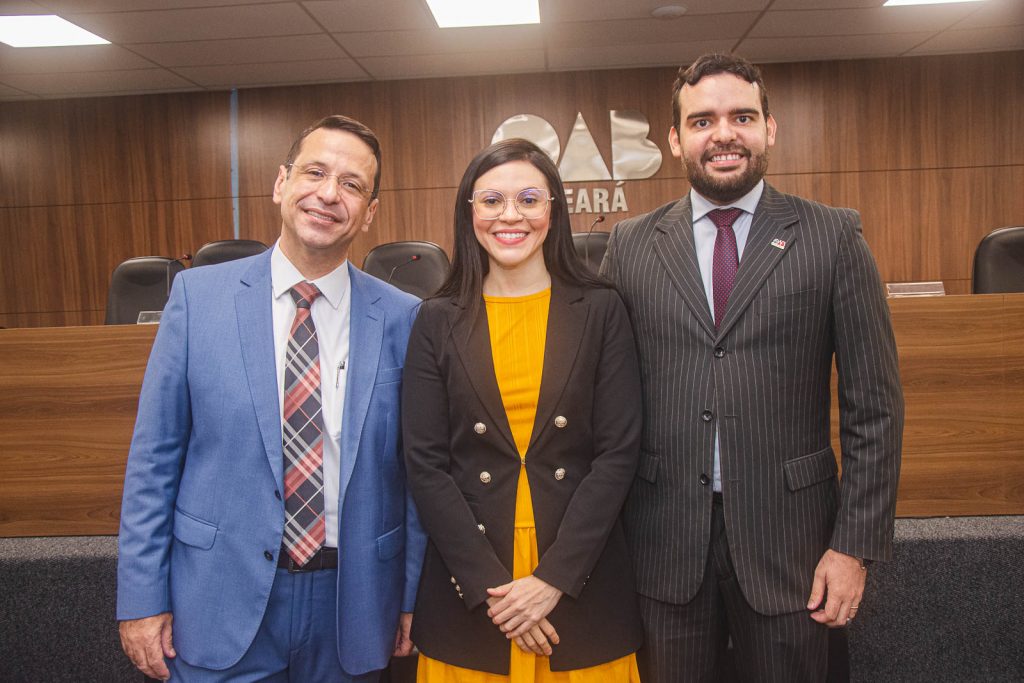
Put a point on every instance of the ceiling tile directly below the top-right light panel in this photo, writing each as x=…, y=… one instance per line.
x=859, y=22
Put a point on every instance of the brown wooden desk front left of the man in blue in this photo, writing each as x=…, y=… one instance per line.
x=68, y=402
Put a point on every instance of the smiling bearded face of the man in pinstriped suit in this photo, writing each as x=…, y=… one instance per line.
x=723, y=138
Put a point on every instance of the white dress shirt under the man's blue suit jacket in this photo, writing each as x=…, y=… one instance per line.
x=331, y=313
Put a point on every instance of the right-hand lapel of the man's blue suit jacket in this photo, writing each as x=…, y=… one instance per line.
x=365, y=340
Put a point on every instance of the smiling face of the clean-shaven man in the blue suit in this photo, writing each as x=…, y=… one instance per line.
x=320, y=220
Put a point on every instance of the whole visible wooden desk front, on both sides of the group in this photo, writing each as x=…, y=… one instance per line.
x=68, y=401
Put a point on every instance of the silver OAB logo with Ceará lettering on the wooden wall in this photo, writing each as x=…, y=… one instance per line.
x=633, y=156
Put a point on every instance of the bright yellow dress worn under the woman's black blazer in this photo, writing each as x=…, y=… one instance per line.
x=519, y=330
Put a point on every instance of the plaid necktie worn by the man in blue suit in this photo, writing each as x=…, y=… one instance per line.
x=304, y=434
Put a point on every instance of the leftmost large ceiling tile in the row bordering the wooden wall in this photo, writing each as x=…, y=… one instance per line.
x=99, y=82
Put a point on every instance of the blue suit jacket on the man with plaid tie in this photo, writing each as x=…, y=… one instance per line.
x=202, y=516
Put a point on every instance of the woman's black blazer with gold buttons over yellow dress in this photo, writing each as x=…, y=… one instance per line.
x=463, y=472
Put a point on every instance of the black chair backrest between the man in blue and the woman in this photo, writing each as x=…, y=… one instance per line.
x=417, y=268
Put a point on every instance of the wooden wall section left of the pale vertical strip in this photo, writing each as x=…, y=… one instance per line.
x=90, y=183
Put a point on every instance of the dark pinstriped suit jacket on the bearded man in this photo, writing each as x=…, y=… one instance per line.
x=763, y=380
